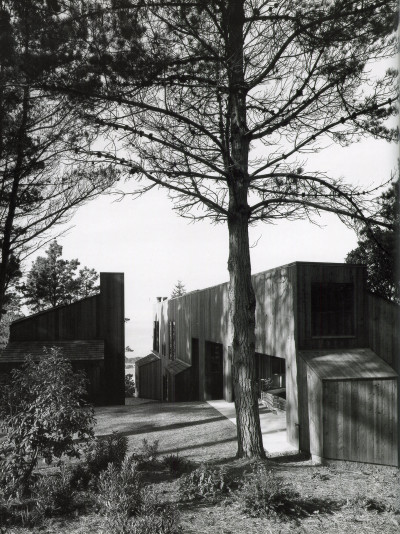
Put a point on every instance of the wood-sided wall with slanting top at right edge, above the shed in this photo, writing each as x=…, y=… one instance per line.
x=384, y=329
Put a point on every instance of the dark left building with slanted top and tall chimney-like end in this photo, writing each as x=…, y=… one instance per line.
x=90, y=333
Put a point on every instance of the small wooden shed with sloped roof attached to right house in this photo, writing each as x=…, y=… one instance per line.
x=348, y=406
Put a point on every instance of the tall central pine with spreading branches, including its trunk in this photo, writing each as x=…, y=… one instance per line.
x=238, y=92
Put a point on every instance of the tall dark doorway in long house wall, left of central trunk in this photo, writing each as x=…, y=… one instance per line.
x=214, y=371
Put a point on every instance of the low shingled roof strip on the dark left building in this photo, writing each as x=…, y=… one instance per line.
x=17, y=351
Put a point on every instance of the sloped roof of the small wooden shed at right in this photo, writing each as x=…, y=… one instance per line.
x=347, y=364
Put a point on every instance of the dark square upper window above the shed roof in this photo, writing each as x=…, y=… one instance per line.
x=332, y=309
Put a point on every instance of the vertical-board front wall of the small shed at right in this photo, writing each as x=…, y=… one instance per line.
x=360, y=421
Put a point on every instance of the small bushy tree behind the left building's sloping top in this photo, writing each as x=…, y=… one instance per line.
x=53, y=281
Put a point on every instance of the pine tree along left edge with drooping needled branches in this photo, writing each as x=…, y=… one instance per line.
x=39, y=186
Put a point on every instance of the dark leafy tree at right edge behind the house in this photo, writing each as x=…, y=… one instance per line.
x=378, y=248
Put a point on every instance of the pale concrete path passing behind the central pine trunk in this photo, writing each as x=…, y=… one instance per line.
x=273, y=426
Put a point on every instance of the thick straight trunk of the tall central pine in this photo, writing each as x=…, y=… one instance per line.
x=242, y=302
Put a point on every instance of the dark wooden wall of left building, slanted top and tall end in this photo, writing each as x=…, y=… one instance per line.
x=97, y=317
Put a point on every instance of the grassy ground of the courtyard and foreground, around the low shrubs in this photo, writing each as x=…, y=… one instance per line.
x=351, y=498
